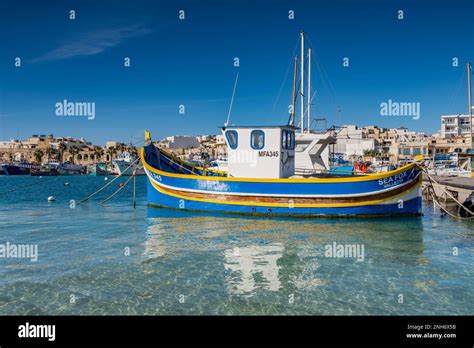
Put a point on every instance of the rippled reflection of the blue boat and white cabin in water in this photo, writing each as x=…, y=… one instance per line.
x=251, y=256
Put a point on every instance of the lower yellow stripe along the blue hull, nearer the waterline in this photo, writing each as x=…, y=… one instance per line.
x=285, y=205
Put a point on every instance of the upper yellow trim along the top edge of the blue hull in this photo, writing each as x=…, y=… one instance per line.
x=368, y=177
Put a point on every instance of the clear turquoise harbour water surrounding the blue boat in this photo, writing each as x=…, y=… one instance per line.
x=190, y=263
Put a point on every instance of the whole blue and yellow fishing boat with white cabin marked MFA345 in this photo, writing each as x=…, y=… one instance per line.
x=261, y=178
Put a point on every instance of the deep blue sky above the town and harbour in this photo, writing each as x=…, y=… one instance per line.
x=190, y=62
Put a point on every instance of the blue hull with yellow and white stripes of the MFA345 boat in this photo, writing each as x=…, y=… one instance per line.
x=176, y=184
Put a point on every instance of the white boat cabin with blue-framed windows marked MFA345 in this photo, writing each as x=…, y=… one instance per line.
x=260, y=152
